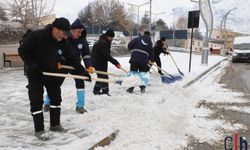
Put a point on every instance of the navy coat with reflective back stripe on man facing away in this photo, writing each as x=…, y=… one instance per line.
x=141, y=50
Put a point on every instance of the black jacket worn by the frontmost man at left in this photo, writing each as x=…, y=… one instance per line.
x=40, y=50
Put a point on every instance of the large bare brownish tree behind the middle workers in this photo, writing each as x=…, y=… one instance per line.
x=106, y=13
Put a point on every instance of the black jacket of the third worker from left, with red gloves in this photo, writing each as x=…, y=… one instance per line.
x=101, y=54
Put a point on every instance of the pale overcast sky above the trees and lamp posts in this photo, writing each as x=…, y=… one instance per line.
x=238, y=20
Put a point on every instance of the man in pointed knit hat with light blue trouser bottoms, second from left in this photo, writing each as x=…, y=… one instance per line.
x=81, y=51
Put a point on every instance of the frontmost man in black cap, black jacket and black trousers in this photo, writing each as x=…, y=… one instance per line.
x=41, y=51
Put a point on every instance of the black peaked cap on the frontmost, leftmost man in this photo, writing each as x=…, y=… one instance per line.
x=62, y=24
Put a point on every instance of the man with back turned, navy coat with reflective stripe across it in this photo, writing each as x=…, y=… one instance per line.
x=141, y=54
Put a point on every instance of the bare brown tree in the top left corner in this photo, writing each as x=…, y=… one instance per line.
x=29, y=12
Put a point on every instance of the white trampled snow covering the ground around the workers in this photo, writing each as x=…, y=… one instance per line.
x=162, y=118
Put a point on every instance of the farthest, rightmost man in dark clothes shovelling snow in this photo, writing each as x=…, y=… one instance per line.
x=160, y=47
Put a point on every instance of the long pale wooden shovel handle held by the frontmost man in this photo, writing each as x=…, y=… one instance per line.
x=82, y=77
